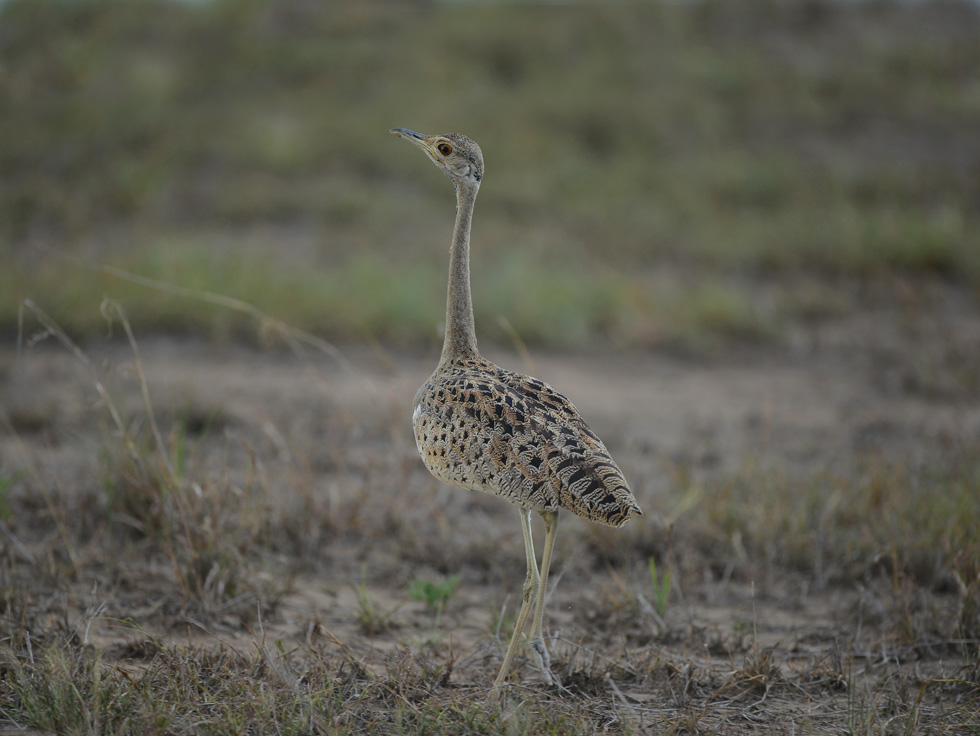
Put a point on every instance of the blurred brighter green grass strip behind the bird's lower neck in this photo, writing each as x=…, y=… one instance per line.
x=366, y=296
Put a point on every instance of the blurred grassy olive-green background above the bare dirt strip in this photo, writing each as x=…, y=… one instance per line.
x=687, y=175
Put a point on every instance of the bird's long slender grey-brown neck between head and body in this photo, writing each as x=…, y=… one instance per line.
x=460, y=331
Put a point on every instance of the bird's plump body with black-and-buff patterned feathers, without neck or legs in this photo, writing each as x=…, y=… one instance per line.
x=484, y=428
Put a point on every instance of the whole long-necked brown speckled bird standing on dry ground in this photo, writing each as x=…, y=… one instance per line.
x=483, y=428
